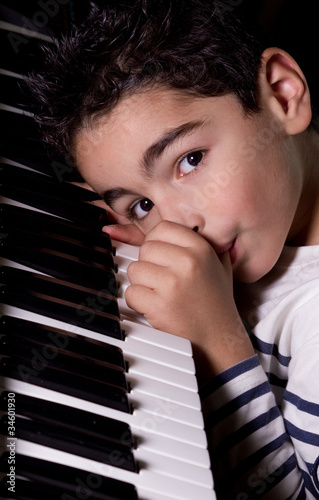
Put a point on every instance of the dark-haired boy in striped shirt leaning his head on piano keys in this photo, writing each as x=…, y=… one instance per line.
x=202, y=143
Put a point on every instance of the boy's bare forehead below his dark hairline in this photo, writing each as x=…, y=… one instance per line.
x=140, y=127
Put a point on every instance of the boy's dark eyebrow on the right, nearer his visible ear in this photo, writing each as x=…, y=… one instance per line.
x=156, y=149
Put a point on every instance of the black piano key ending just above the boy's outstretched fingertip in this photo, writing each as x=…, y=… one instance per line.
x=71, y=209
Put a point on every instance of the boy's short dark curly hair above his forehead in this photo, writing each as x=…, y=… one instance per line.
x=124, y=46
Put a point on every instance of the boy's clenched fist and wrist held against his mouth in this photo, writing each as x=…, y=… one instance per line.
x=183, y=287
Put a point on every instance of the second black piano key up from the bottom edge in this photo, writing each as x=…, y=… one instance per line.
x=72, y=441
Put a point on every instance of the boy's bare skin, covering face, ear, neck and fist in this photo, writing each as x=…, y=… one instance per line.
x=217, y=203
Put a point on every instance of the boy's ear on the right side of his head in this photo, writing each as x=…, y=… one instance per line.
x=283, y=85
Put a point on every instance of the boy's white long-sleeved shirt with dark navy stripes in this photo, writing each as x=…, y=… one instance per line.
x=262, y=415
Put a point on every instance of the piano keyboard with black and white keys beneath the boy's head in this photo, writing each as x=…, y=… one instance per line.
x=95, y=404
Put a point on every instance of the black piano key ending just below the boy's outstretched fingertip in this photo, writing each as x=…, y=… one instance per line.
x=13, y=216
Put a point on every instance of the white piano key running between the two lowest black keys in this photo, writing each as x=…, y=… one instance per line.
x=146, y=481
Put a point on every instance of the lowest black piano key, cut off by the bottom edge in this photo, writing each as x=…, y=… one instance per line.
x=48, y=476
